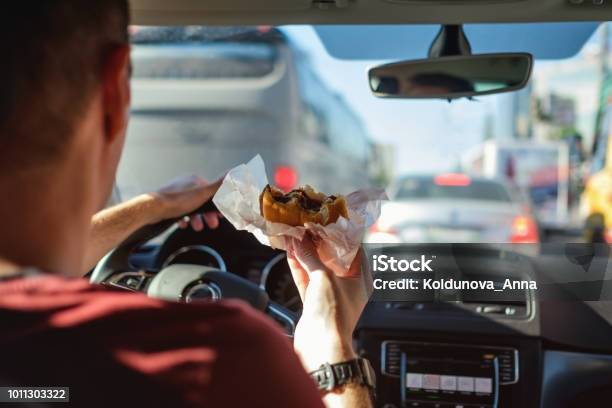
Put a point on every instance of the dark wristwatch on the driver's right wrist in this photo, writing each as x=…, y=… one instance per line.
x=332, y=376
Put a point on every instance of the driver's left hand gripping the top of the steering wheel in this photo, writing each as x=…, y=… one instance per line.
x=183, y=196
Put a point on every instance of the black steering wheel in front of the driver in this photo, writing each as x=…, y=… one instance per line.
x=184, y=282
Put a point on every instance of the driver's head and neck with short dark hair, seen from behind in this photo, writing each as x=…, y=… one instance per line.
x=64, y=103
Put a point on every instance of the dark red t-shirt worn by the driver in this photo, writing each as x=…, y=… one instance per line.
x=122, y=349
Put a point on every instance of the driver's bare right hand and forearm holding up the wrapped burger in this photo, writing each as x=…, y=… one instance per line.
x=332, y=307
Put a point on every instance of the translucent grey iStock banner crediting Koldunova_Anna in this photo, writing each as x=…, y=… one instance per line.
x=495, y=273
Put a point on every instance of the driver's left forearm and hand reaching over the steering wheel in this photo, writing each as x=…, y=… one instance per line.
x=111, y=226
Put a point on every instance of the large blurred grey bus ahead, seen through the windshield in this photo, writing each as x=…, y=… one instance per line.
x=206, y=99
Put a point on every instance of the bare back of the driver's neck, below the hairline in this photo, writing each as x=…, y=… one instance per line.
x=44, y=224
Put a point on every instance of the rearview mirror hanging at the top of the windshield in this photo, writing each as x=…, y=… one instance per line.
x=451, y=77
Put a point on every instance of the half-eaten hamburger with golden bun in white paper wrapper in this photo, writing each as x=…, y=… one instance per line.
x=300, y=206
